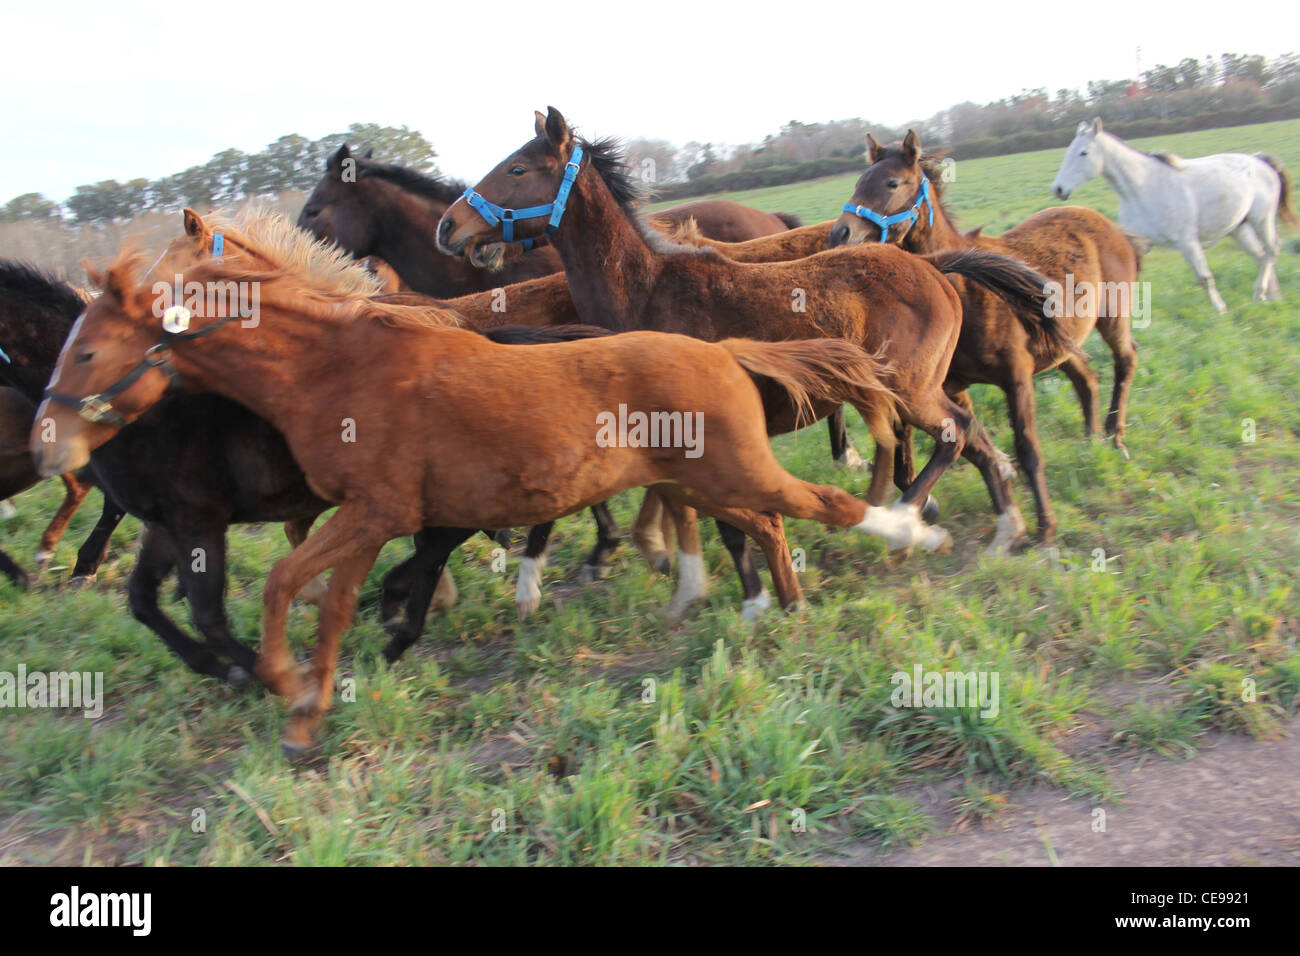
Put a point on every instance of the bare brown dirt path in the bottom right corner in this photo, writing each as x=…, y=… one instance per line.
x=1236, y=803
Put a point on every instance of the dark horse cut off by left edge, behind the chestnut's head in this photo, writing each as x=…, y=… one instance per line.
x=34, y=306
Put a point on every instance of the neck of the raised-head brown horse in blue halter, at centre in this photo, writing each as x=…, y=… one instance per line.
x=608, y=259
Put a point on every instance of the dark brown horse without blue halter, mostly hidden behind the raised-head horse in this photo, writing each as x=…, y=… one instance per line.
x=374, y=209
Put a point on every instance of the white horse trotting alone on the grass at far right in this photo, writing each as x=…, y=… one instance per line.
x=1189, y=204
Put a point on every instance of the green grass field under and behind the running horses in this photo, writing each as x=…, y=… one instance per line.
x=599, y=734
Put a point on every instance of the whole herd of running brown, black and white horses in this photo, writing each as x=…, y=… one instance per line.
x=467, y=392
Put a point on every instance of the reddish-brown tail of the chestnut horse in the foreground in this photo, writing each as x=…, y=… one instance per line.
x=824, y=370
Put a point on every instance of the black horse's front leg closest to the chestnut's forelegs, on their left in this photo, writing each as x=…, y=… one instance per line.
x=201, y=564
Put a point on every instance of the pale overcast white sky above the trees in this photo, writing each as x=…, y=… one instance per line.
x=96, y=92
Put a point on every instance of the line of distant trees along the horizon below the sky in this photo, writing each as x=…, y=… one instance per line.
x=1194, y=94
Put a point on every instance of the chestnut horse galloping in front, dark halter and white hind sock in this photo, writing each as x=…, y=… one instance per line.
x=422, y=423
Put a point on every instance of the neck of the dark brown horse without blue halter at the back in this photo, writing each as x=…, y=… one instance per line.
x=405, y=227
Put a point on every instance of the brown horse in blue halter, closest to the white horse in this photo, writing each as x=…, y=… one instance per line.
x=1072, y=246
